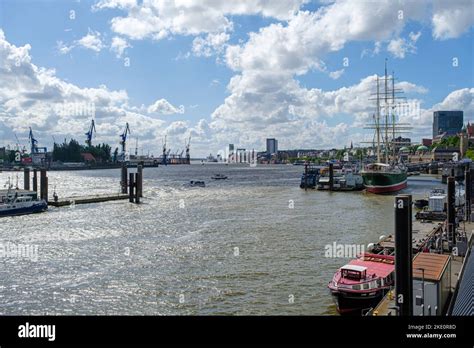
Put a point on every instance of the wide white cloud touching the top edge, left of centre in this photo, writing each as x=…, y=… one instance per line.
x=159, y=19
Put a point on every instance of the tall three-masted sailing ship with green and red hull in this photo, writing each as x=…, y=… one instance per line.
x=388, y=174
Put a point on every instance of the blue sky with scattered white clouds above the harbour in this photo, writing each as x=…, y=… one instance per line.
x=225, y=72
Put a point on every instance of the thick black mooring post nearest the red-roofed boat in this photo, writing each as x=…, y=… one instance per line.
x=403, y=255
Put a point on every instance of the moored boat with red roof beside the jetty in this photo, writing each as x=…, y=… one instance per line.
x=363, y=282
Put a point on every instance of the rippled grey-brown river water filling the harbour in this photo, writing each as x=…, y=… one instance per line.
x=250, y=245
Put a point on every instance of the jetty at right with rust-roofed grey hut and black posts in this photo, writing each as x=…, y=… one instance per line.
x=432, y=260
